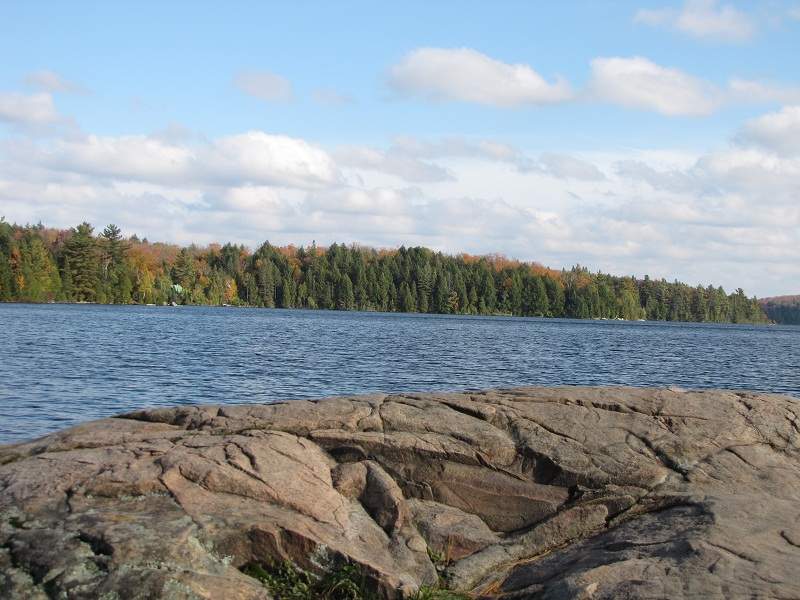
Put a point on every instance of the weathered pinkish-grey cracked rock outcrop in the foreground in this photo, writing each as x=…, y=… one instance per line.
x=525, y=493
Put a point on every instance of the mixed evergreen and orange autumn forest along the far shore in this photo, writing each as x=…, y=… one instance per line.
x=39, y=264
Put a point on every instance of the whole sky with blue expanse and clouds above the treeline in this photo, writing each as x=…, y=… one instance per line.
x=644, y=137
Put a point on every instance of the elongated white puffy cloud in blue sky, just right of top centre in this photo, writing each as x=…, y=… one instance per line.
x=465, y=75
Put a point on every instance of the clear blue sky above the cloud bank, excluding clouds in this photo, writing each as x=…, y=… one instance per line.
x=149, y=64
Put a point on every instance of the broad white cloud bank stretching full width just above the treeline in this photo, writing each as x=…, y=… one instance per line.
x=729, y=217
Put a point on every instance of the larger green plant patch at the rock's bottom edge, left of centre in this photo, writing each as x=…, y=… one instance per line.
x=285, y=581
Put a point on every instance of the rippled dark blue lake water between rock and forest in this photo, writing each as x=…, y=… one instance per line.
x=62, y=364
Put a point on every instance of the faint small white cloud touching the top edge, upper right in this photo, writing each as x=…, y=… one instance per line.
x=704, y=19
